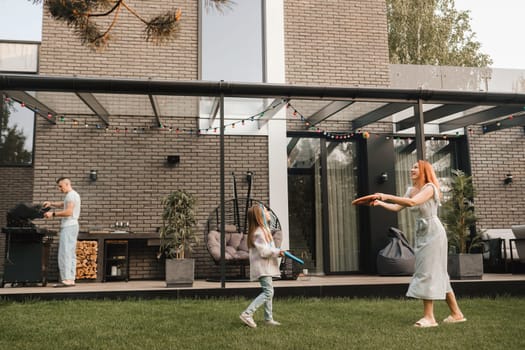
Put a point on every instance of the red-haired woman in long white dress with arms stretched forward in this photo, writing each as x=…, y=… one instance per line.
x=430, y=280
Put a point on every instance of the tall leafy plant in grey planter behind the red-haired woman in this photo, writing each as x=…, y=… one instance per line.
x=460, y=220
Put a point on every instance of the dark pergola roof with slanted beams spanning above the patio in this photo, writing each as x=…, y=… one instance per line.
x=445, y=110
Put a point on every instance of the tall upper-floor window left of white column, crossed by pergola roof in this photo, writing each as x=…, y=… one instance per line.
x=232, y=49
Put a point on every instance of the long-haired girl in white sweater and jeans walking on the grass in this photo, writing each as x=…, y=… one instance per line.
x=264, y=264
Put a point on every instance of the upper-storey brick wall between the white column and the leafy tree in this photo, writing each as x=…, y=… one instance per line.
x=336, y=42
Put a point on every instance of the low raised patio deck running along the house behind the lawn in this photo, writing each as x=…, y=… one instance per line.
x=359, y=286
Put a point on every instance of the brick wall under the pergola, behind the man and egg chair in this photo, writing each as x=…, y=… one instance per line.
x=133, y=175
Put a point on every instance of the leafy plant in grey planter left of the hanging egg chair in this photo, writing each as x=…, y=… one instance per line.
x=178, y=238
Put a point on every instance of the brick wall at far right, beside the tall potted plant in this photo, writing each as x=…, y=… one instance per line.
x=492, y=156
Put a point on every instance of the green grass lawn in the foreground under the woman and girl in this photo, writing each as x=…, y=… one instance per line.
x=214, y=324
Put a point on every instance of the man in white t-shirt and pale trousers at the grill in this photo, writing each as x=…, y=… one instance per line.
x=68, y=211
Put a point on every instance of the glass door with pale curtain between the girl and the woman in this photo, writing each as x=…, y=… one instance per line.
x=322, y=180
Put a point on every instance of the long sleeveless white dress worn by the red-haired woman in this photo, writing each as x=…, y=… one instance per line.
x=430, y=280
